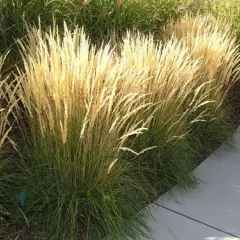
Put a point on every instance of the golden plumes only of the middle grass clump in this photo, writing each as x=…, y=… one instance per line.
x=171, y=77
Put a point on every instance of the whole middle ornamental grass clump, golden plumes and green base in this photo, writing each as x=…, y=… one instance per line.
x=170, y=81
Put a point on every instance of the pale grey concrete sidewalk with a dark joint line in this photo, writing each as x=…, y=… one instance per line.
x=208, y=212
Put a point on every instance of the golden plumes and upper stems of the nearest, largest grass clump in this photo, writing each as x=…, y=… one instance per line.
x=72, y=93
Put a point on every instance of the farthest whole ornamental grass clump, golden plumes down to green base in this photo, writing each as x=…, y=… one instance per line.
x=213, y=44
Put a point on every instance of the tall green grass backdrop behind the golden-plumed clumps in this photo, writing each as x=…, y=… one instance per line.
x=102, y=20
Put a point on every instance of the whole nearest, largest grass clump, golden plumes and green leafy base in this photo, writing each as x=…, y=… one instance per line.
x=75, y=127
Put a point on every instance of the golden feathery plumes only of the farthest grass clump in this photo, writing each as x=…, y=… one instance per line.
x=211, y=42
